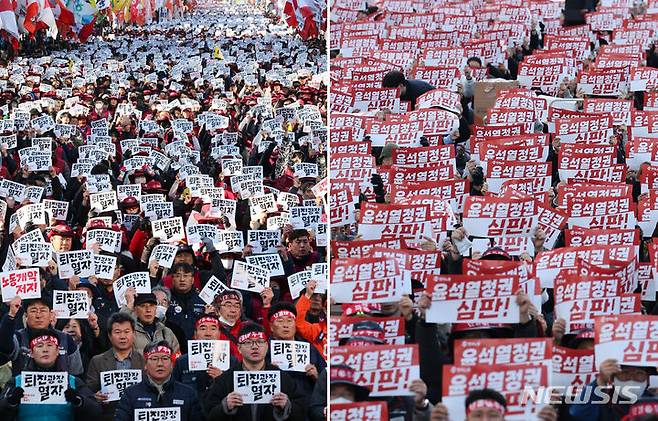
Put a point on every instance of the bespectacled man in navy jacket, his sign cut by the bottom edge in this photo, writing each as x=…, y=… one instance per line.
x=158, y=389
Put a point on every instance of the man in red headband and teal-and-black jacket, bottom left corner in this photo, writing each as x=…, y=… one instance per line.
x=80, y=402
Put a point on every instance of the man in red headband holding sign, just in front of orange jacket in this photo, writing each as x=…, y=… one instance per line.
x=282, y=317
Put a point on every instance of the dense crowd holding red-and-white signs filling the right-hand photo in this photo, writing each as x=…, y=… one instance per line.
x=493, y=210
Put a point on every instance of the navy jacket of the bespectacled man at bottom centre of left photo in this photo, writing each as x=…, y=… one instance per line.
x=145, y=395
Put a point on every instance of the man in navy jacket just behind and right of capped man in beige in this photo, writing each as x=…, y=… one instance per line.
x=185, y=306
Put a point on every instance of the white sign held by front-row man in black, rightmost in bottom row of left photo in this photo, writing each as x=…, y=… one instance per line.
x=257, y=387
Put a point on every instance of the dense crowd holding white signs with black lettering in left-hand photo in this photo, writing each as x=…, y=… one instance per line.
x=163, y=223
